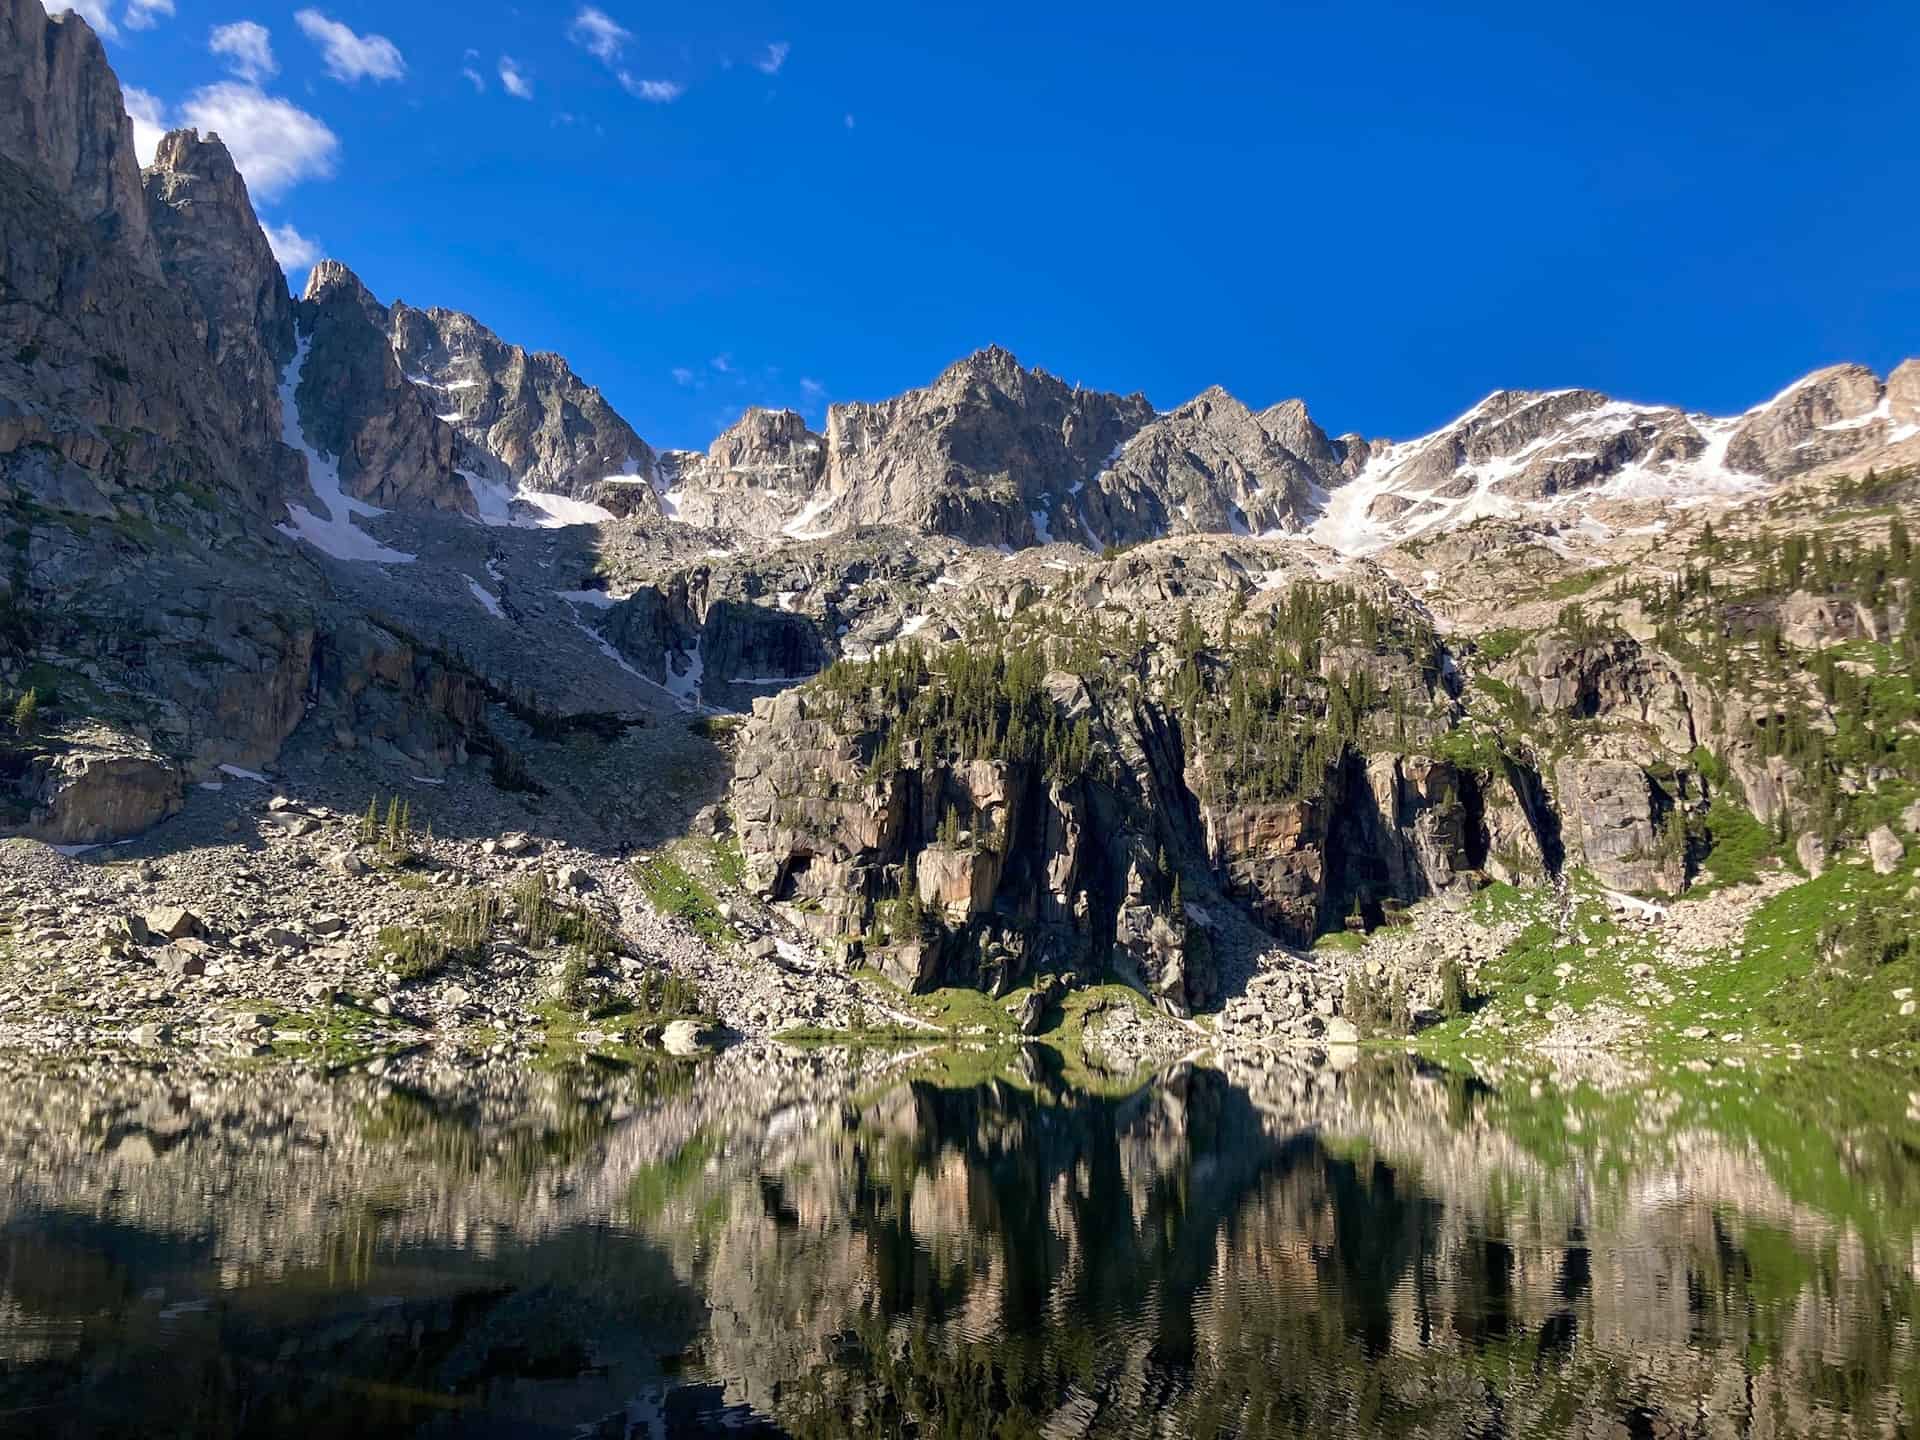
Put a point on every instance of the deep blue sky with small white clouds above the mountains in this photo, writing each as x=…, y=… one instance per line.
x=1387, y=210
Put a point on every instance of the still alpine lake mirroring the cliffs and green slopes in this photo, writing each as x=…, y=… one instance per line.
x=765, y=1249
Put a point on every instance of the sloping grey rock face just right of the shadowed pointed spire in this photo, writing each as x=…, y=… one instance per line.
x=525, y=418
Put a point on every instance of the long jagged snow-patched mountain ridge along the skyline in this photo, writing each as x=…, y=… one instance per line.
x=1003, y=456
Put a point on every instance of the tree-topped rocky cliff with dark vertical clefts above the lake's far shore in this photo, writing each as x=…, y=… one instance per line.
x=1234, y=763
